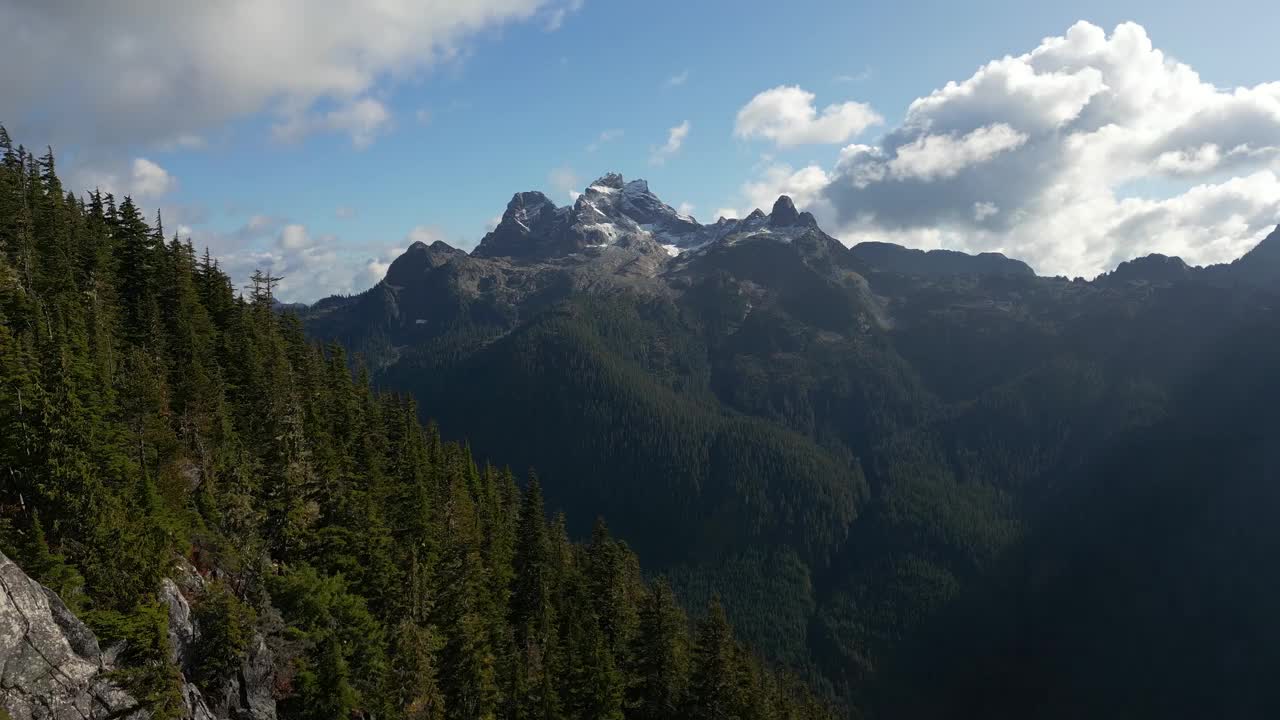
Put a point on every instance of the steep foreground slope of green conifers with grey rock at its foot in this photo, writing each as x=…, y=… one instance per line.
x=172, y=448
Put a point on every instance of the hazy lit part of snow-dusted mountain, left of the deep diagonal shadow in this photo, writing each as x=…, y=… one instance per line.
x=844, y=444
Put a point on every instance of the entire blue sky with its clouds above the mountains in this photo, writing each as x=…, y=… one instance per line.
x=318, y=139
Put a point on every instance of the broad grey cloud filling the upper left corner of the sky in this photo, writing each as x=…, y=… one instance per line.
x=185, y=67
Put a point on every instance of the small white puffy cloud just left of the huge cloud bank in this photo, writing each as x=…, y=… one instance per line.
x=788, y=117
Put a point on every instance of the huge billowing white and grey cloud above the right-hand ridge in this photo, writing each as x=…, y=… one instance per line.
x=1091, y=149
